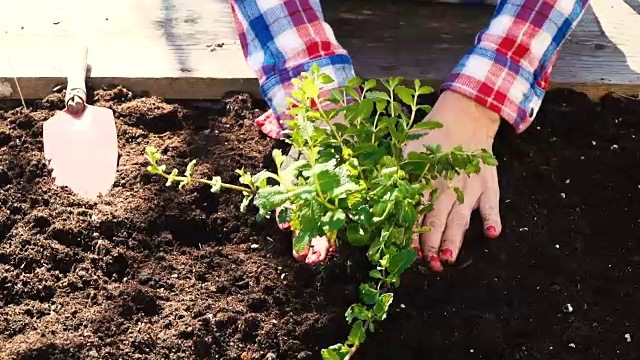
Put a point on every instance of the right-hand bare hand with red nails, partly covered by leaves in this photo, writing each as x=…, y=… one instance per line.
x=473, y=127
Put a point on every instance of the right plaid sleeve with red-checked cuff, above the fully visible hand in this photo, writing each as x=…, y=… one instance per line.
x=508, y=68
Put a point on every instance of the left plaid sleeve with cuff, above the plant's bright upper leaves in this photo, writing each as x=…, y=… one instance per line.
x=283, y=38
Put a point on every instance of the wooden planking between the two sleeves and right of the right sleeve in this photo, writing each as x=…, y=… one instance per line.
x=425, y=41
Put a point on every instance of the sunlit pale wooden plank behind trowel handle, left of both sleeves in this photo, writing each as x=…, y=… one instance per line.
x=170, y=48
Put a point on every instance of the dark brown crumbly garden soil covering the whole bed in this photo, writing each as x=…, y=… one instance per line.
x=150, y=273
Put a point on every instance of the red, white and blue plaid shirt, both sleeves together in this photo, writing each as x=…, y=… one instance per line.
x=507, y=69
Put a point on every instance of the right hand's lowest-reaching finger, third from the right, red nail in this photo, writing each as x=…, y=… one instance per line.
x=436, y=220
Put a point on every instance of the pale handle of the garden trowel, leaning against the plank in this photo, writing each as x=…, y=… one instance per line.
x=76, y=95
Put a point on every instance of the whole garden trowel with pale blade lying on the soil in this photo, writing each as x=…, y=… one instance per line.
x=81, y=142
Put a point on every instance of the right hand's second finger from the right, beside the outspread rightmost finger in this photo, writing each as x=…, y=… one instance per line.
x=458, y=222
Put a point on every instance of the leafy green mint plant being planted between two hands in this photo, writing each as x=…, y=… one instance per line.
x=354, y=183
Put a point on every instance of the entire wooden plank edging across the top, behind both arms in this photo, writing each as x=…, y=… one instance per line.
x=168, y=47
